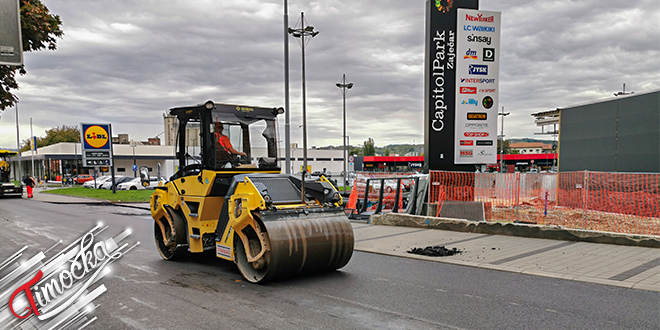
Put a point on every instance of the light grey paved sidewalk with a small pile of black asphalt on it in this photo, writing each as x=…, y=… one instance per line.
x=608, y=264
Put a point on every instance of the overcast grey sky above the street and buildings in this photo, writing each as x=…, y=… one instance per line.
x=127, y=61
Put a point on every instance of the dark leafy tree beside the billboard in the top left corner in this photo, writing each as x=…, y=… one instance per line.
x=39, y=30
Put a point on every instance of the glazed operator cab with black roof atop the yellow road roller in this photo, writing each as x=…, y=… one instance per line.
x=246, y=127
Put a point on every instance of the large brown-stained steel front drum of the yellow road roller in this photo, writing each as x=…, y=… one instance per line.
x=298, y=243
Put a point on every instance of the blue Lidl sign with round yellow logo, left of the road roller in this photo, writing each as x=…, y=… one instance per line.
x=96, y=144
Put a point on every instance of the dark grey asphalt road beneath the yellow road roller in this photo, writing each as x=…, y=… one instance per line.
x=371, y=292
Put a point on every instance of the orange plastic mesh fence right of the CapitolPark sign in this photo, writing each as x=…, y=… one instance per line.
x=601, y=201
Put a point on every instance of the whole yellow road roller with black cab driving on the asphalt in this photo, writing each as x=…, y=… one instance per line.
x=247, y=211
